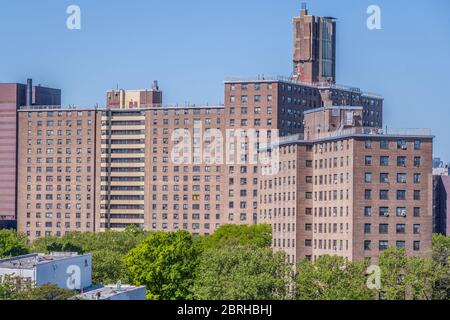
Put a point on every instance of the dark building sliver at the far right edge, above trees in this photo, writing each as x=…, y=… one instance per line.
x=441, y=204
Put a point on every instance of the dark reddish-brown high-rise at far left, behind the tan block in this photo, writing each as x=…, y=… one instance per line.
x=13, y=95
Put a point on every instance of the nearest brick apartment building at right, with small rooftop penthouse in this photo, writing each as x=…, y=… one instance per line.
x=344, y=189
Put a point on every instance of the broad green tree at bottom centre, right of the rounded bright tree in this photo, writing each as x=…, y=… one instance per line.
x=242, y=273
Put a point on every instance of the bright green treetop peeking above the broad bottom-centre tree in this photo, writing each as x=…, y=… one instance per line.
x=239, y=235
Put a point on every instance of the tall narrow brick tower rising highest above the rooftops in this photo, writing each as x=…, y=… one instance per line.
x=314, y=48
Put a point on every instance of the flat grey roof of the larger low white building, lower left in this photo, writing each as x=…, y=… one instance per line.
x=30, y=261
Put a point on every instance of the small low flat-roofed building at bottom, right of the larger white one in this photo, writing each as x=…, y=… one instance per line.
x=114, y=292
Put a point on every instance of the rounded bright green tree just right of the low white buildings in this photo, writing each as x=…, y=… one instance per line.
x=165, y=263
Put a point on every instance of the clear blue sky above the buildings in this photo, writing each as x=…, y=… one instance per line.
x=192, y=46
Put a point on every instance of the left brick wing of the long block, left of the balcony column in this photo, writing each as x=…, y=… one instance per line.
x=57, y=161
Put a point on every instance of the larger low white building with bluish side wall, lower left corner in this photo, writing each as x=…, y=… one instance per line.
x=66, y=270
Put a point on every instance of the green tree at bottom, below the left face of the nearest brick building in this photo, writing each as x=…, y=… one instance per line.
x=332, y=278
